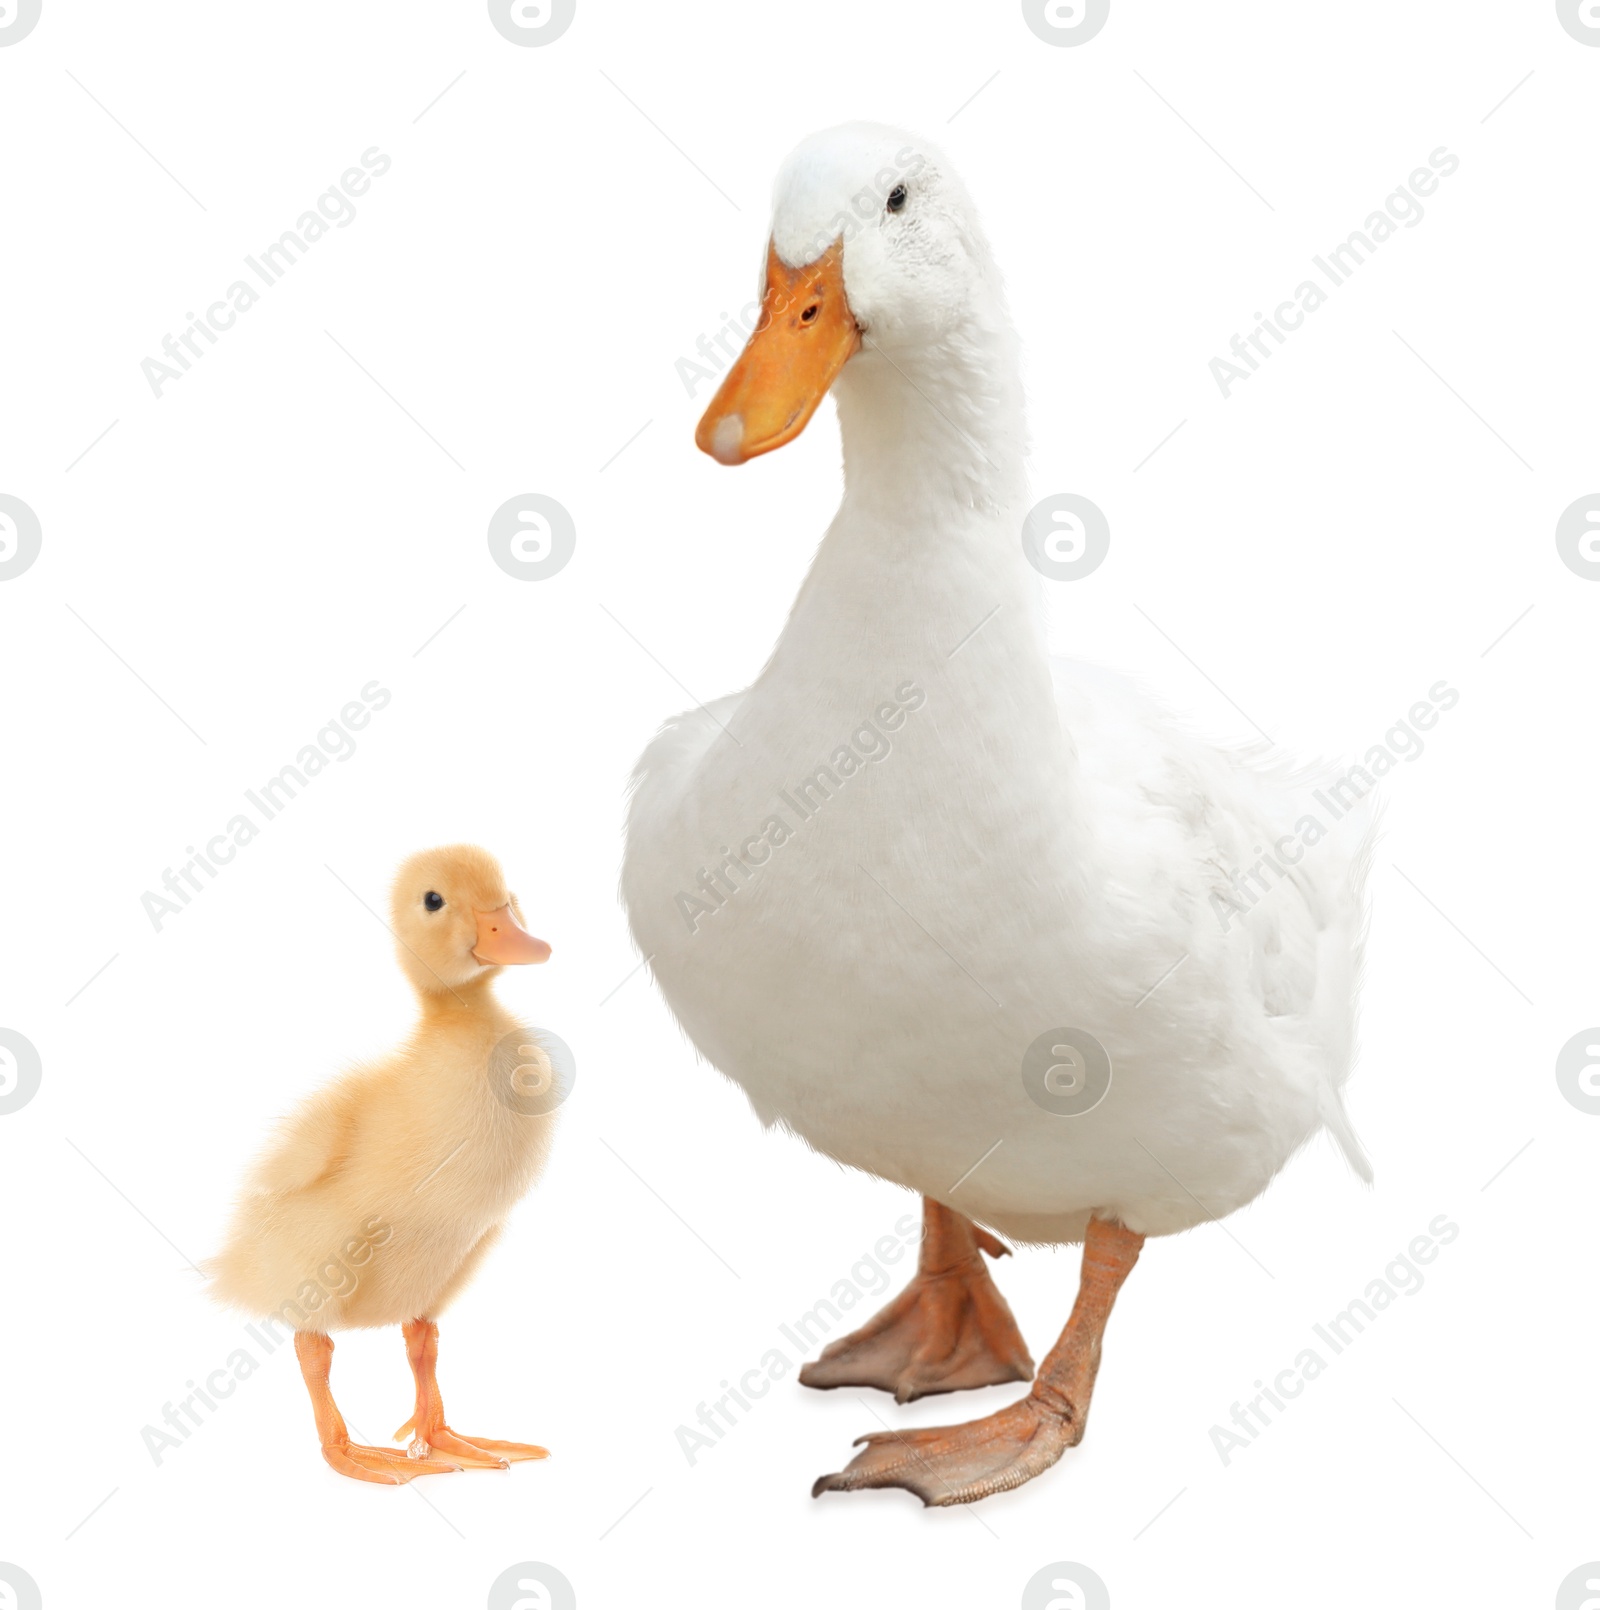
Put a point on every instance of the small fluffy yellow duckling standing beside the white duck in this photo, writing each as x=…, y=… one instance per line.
x=384, y=1191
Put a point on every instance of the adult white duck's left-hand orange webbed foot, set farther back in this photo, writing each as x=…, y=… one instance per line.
x=949, y=1331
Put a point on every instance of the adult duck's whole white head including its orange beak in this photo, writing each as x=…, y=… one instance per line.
x=875, y=250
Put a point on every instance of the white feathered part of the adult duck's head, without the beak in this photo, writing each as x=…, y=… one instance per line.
x=915, y=260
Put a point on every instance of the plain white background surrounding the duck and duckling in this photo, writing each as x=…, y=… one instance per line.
x=276, y=532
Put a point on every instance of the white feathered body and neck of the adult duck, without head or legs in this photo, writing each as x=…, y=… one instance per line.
x=1039, y=848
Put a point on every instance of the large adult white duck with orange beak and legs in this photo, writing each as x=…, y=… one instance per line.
x=960, y=915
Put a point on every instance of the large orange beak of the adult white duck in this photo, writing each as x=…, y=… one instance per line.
x=806, y=336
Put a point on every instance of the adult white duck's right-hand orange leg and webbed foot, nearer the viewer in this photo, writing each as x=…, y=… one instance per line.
x=960, y=1464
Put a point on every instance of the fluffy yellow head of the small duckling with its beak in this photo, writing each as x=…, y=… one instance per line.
x=442, y=907
